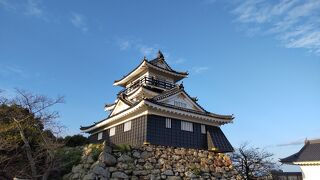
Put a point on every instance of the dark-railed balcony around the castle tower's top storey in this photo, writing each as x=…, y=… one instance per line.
x=149, y=81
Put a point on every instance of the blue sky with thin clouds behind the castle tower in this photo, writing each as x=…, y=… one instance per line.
x=258, y=60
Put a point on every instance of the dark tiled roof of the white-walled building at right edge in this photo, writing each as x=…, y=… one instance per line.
x=309, y=153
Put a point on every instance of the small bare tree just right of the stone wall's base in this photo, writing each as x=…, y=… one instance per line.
x=251, y=162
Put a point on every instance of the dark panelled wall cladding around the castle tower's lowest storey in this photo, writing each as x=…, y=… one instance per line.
x=152, y=129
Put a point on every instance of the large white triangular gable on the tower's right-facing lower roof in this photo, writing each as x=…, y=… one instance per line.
x=182, y=100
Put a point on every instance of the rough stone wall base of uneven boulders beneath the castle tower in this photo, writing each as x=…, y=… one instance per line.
x=153, y=162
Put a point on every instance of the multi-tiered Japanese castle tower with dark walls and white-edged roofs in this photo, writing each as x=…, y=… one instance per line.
x=154, y=108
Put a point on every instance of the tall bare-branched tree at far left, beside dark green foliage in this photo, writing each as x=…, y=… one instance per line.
x=37, y=117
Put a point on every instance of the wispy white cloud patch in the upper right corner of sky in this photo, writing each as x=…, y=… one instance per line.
x=294, y=23
